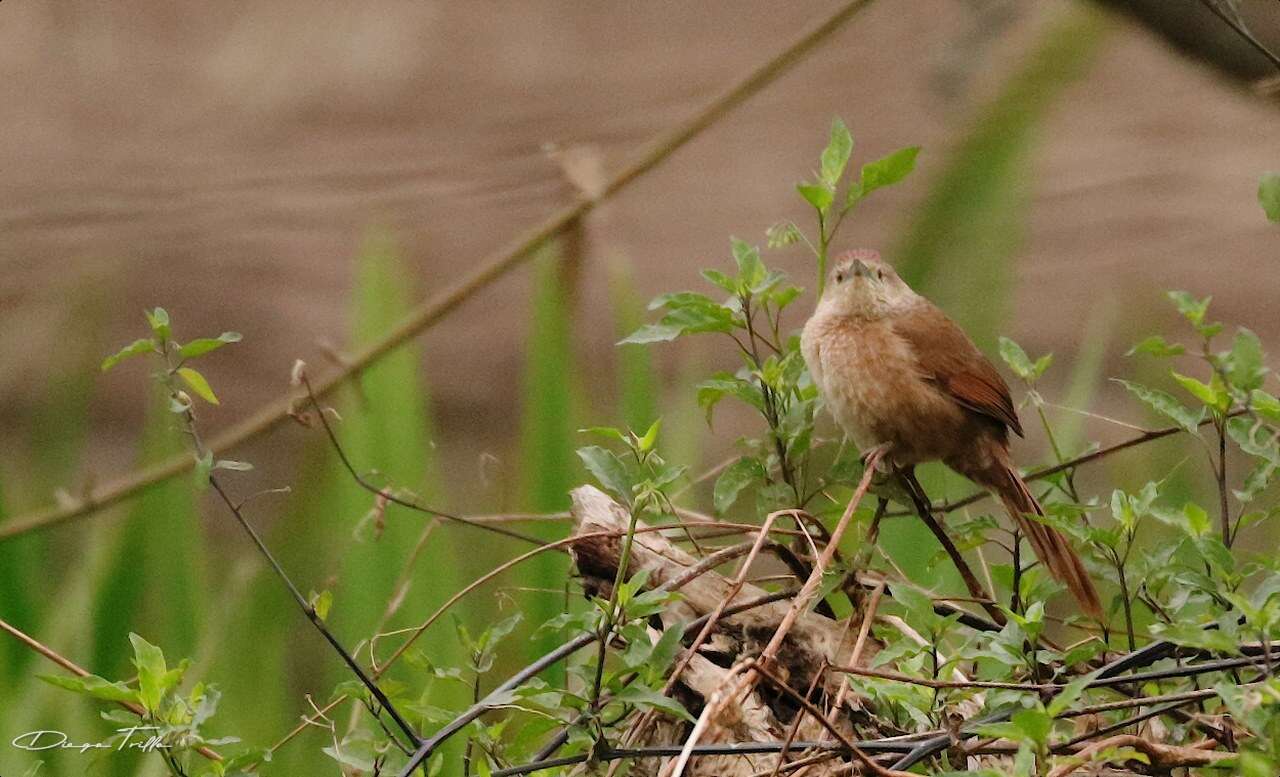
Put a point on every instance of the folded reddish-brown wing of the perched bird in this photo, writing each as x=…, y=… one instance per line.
x=948, y=356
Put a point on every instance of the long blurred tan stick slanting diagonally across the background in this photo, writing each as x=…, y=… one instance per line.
x=435, y=309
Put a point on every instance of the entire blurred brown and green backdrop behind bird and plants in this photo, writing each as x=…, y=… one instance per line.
x=307, y=173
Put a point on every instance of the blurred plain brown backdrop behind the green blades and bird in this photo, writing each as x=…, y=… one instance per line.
x=227, y=159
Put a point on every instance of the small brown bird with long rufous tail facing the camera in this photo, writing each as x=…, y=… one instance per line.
x=898, y=373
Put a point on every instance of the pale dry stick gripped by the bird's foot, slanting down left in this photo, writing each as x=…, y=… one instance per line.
x=799, y=605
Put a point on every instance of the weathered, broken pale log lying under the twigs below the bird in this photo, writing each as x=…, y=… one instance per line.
x=766, y=714
